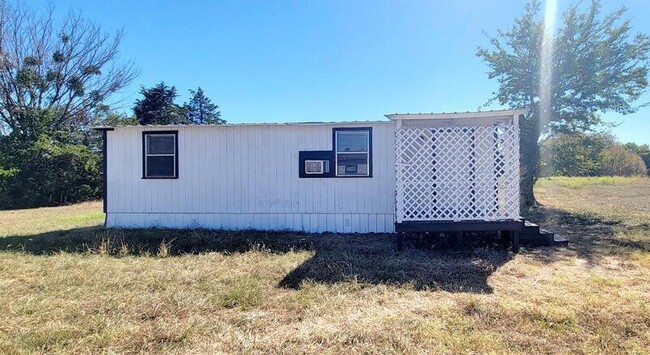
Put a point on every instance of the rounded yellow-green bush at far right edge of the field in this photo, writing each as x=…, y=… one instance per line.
x=618, y=161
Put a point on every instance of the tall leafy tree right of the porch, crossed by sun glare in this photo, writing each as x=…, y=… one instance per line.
x=591, y=64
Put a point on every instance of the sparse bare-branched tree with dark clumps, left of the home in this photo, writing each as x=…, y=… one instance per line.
x=66, y=70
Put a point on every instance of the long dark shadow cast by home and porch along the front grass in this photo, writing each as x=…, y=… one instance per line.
x=426, y=263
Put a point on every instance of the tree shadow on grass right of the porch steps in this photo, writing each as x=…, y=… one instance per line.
x=591, y=237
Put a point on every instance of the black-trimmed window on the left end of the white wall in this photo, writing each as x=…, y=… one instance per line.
x=160, y=155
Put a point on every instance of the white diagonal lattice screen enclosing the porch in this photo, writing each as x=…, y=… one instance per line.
x=457, y=173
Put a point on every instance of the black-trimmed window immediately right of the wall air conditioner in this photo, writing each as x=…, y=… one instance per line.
x=353, y=150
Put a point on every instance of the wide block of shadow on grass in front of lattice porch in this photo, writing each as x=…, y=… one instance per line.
x=425, y=264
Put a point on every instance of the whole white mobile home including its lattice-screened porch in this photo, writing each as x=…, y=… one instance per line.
x=408, y=173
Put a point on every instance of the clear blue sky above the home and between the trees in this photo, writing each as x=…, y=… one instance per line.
x=281, y=61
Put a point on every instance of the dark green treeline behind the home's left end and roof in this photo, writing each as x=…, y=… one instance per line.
x=42, y=166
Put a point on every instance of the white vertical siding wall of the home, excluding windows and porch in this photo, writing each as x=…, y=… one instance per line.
x=246, y=177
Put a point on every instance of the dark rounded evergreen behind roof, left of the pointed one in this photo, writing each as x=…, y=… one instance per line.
x=158, y=107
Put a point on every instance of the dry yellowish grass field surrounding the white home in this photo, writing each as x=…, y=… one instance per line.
x=66, y=285
